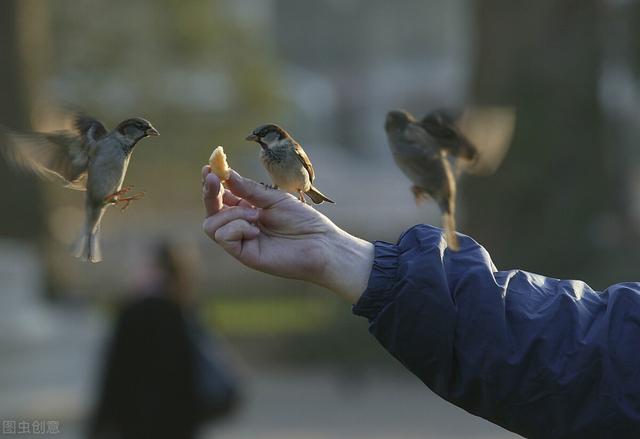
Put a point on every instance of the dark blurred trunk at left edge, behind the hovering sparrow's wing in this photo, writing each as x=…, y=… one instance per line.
x=23, y=215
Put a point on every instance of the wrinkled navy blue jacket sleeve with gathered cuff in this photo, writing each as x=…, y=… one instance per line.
x=542, y=357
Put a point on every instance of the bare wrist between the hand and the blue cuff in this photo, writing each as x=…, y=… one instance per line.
x=348, y=265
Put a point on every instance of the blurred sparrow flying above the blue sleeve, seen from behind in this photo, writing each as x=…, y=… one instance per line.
x=425, y=150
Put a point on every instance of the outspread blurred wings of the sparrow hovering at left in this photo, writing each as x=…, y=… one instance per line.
x=59, y=155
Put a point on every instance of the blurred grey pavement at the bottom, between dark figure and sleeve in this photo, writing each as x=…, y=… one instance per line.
x=319, y=405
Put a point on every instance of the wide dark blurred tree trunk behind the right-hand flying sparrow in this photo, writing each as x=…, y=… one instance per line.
x=547, y=208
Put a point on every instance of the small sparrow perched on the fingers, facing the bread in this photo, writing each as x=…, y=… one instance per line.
x=286, y=162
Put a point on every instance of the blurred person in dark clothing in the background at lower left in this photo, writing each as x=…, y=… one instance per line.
x=163, y=377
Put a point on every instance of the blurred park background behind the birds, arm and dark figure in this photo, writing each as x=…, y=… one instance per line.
x=565, y=202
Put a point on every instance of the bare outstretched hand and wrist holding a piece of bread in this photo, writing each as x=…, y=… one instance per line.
x=272, y=231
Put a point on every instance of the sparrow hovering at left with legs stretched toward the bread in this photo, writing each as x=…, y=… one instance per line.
x=84, y=158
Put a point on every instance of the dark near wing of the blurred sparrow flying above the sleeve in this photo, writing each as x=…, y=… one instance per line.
x=442, y=127
